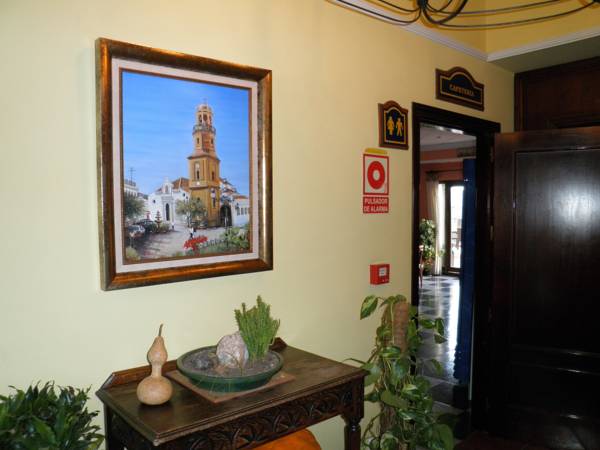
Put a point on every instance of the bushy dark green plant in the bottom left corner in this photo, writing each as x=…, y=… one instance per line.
x=50, y=417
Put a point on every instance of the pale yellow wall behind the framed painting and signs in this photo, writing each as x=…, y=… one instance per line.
x=330, y=69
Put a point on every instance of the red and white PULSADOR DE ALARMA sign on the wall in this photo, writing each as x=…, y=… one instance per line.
x=375, y=182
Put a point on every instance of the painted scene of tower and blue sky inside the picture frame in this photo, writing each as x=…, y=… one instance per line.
x=186, y=168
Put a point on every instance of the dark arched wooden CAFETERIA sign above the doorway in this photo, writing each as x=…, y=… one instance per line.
x=458, y=86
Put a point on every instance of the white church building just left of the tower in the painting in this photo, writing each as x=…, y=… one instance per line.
x=164, y=200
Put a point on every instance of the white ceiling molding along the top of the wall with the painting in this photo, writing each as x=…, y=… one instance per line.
x=367, y=8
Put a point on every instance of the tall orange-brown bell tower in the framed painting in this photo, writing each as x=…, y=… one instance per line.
x=204, y=165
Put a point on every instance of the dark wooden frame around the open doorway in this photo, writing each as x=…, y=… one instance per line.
x=484, y=131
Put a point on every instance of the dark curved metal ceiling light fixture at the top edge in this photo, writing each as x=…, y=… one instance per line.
x=441, y=12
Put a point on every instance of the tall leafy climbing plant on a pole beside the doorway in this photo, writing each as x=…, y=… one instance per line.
x=406, y=418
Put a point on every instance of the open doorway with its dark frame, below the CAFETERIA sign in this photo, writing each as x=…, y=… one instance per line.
x=463, y=294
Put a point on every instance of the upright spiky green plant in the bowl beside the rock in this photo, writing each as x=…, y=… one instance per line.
x=257, y=327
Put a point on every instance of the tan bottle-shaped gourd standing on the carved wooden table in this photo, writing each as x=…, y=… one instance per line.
x=155, y=389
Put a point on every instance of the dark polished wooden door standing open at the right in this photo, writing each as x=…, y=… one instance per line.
x=545, y=310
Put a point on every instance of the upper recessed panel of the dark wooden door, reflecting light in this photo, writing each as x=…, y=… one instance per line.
x=557, y=249
